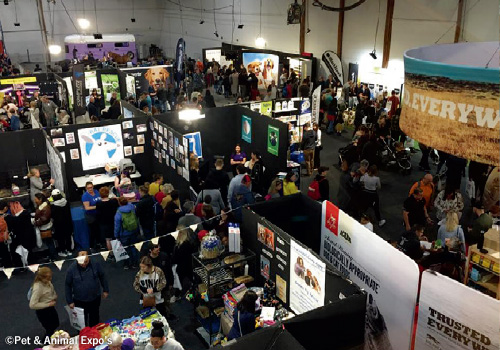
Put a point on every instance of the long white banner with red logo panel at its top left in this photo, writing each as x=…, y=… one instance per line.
x=388, y=276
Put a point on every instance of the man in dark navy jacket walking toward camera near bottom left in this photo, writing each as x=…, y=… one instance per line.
x=84, y=280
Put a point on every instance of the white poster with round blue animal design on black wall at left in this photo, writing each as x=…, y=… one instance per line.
x=100, y=145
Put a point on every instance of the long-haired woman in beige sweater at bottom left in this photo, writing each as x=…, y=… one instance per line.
x=43, y=300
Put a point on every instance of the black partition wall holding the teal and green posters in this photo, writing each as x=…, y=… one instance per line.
x=221, y=130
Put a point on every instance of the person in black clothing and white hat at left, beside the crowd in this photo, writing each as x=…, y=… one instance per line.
x=63, y=225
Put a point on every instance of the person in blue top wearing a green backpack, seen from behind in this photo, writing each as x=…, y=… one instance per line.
x=126, y=228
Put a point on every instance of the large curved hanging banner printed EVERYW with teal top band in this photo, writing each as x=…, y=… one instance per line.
x=450, y=99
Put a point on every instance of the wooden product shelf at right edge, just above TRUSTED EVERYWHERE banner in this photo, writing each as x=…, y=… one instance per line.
x=487, y=263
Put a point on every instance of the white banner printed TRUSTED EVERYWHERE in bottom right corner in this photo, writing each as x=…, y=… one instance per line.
x=452, y=316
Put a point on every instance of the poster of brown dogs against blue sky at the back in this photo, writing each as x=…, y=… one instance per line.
x=265, y=67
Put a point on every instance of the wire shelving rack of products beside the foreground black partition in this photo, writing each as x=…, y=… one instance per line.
x=224, y=273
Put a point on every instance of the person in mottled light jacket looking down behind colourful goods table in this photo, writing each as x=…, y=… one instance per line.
x=150, y=282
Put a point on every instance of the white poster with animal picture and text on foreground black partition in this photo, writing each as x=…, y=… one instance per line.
x=307, y=279
